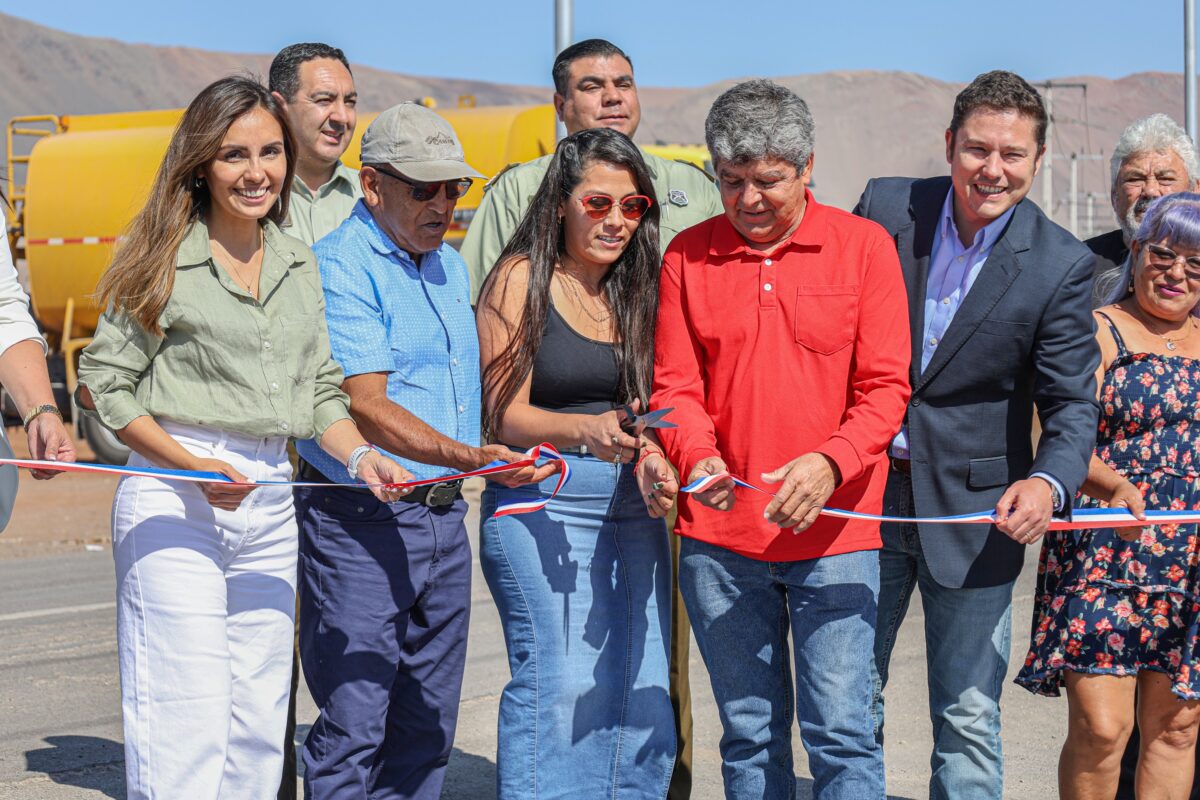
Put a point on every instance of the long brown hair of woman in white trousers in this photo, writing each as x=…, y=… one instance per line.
x=142, y=276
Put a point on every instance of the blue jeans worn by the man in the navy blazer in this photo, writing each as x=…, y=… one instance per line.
x=968, y=641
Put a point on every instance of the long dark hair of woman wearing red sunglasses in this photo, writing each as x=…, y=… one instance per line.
x=631, y=286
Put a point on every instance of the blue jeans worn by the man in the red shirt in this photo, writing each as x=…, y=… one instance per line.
x=742, y=611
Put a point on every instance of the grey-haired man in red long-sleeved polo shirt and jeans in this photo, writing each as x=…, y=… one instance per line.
x=783, y=345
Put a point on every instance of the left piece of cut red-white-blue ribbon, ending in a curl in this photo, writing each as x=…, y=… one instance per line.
x=193, y=477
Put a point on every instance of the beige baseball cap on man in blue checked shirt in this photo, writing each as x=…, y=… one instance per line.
x=417, y=143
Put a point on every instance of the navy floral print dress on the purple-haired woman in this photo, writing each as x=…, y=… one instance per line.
x=1107, y=606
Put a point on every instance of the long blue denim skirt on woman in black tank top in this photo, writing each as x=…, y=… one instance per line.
x=584, y=592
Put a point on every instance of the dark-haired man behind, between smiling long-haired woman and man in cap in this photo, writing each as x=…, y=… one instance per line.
x=314, y=85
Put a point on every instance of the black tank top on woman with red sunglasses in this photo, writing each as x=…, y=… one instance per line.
x=573, y=374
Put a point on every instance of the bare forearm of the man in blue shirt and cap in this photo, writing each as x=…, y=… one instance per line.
x=398, y=431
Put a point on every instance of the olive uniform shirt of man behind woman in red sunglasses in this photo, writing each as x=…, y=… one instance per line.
x=687, y=196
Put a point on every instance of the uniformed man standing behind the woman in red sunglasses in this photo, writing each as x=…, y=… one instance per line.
x=595, y=88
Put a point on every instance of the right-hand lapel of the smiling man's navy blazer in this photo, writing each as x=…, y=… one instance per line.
x=997, y=276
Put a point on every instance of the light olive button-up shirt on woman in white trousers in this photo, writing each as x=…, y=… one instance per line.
x=225, y=360
